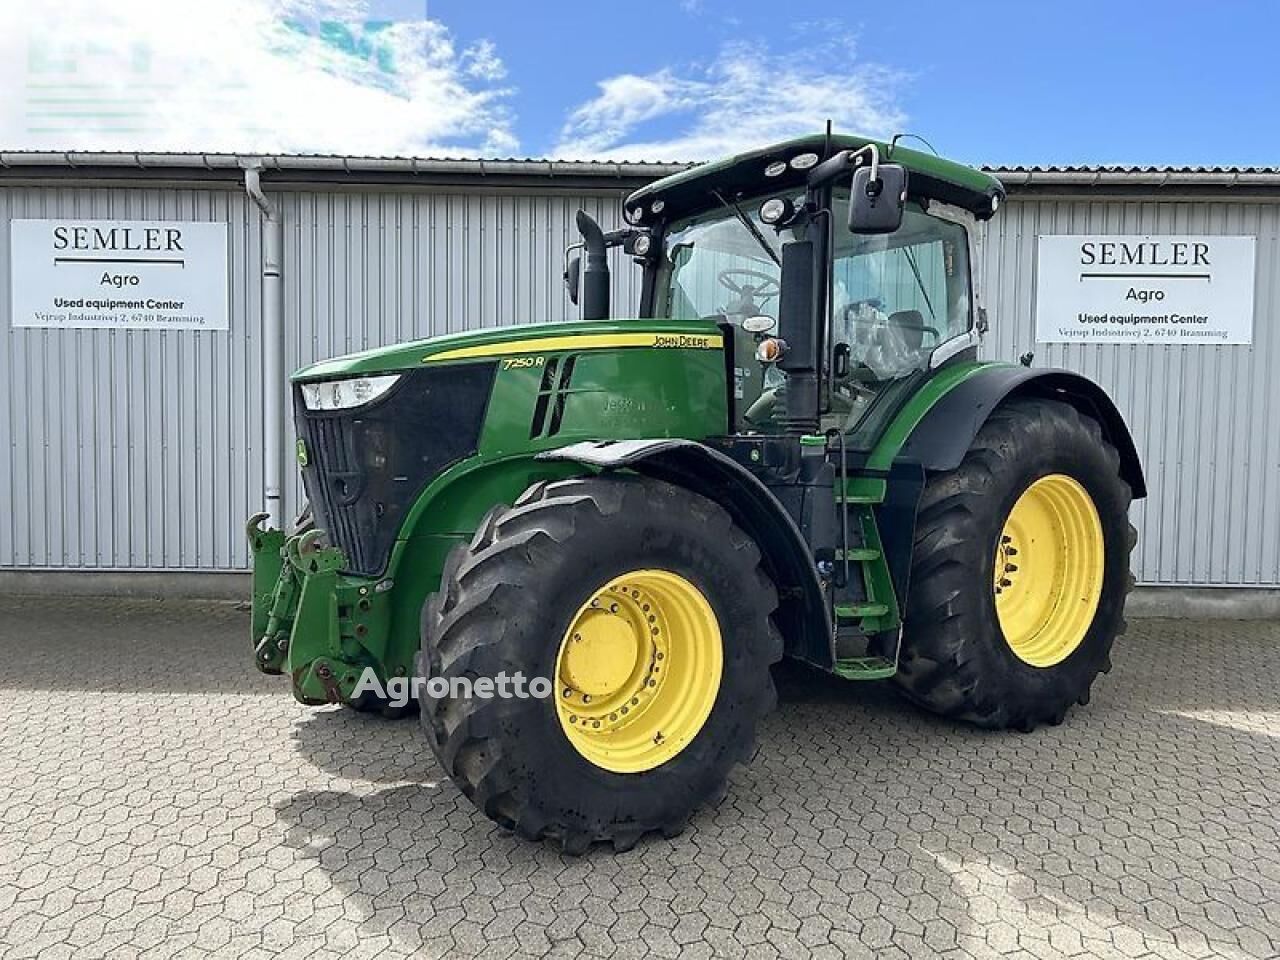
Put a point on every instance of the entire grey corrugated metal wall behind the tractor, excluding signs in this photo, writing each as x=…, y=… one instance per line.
x=143, y=450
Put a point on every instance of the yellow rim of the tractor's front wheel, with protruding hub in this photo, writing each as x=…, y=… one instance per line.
x=638, y=671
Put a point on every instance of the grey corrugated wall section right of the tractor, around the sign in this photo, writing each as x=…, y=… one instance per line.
x=1204, y=417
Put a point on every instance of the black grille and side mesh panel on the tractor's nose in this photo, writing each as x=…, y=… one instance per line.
x=368, y=467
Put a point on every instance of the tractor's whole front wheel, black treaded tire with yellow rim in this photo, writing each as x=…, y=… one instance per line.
x=648, y=611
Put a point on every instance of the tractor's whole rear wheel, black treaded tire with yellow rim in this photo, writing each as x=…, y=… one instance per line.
x=957, y=659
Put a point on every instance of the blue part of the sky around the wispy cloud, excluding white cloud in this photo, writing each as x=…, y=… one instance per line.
x=1002, y=83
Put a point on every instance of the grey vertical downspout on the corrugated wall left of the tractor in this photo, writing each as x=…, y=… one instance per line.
x=273, y=345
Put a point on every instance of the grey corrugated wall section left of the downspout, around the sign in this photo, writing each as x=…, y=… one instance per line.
x=129, y=450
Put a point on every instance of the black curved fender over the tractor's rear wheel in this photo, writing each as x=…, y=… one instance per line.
x=945, y=435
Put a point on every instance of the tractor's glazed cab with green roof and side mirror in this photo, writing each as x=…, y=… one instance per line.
x=883, y=289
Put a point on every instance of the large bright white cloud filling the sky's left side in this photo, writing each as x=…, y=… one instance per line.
x=268, y=76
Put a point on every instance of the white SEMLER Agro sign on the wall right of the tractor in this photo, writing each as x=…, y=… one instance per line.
x=1145, y=290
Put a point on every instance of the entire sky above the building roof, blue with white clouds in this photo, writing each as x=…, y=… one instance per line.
x=985, y=83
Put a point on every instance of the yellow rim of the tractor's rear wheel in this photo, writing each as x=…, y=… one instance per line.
x=1049, y=570
